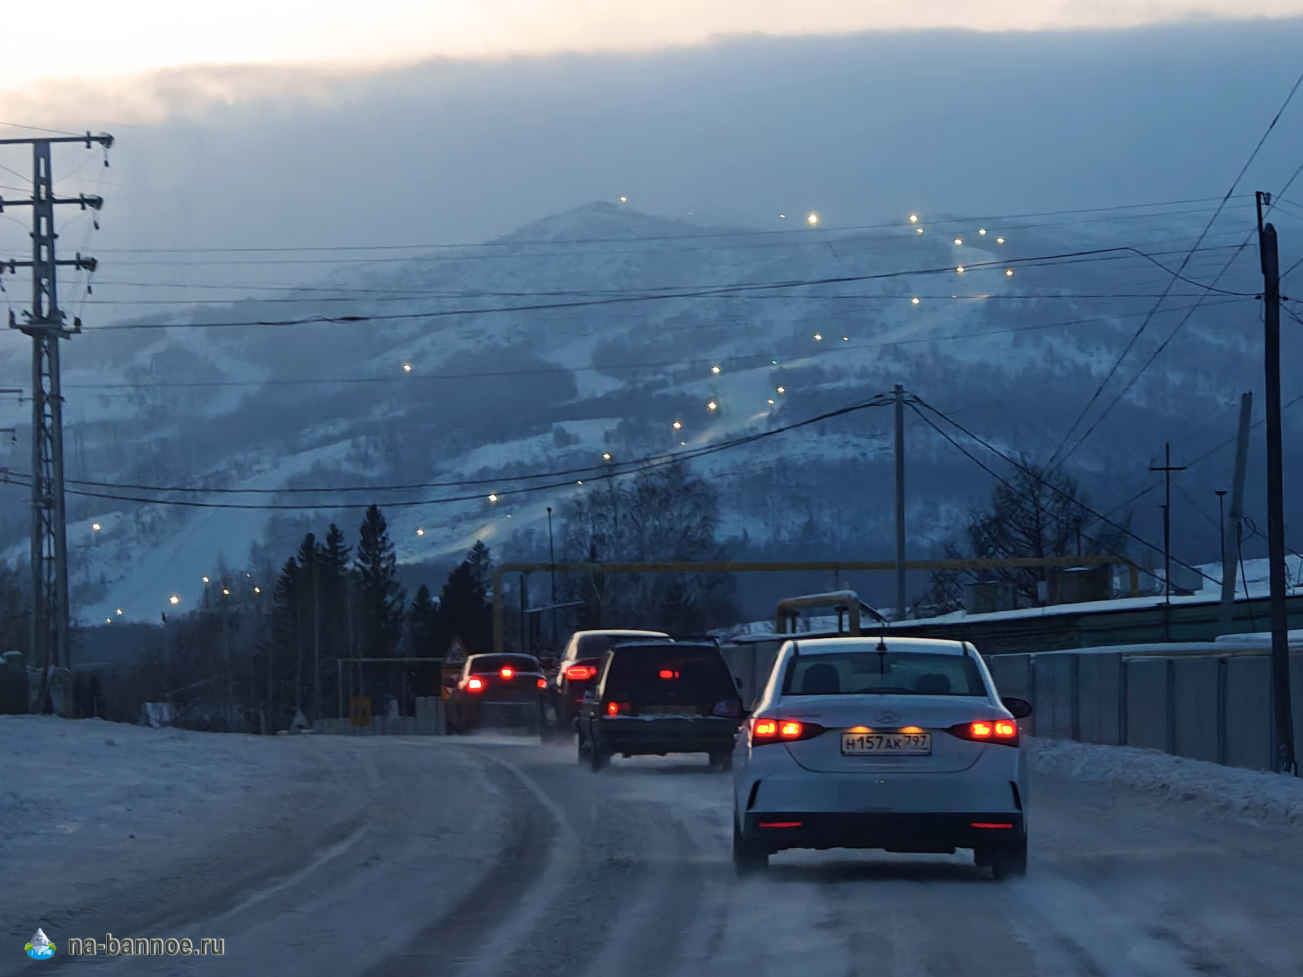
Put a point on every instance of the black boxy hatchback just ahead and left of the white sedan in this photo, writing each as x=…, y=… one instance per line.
x=660, y=699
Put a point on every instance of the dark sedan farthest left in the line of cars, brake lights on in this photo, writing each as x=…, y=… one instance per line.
x=494, y=690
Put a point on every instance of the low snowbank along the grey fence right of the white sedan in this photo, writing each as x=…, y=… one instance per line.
x=1206, y=787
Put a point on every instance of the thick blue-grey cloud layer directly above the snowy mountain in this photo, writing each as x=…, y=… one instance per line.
x=862, y=127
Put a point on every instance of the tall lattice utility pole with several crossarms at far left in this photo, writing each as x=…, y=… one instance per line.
x=45, y=324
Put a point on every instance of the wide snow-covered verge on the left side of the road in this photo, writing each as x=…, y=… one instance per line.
x=115, y=828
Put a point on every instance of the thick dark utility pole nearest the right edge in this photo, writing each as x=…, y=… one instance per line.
x=1283, y=709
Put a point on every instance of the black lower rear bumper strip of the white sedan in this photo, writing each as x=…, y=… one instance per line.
x=944, y=832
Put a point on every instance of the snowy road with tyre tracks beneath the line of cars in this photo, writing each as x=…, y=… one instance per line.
x=484, y=857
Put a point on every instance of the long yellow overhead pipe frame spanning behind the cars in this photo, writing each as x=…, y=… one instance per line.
x=779, y=567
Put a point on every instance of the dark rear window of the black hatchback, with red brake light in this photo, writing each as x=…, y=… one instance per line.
x=650, y=675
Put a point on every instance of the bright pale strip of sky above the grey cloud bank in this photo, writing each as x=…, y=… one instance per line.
x=89, y=38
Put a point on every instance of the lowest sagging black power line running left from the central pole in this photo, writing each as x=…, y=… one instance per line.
x=644, y=466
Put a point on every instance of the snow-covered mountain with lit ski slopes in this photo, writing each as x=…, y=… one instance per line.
x=596, y=330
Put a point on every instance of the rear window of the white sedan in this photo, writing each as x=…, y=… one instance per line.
x=883, y=674
